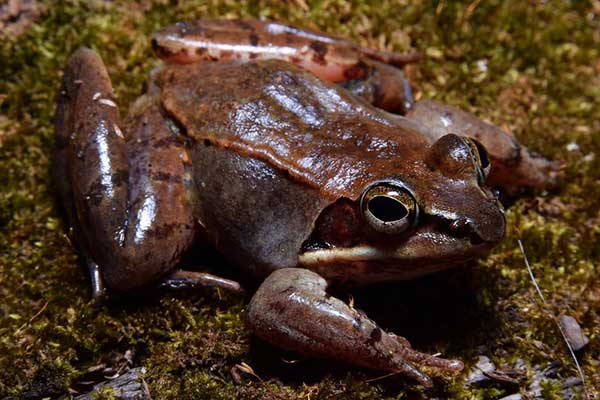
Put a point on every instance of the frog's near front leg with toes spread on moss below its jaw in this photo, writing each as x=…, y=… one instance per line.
x=291, y=309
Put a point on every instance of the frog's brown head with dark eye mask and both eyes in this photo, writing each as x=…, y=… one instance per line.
x=432, y=213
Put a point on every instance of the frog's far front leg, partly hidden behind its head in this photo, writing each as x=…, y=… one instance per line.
x=513, y=166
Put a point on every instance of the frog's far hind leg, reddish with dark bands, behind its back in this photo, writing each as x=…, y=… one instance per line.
x=369, y=73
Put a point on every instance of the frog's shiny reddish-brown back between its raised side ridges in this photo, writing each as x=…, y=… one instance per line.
x=273, y=111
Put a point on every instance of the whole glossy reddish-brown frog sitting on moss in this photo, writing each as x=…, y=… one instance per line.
x=303, y=159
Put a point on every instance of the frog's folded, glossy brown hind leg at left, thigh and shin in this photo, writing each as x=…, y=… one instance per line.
x=128, y=186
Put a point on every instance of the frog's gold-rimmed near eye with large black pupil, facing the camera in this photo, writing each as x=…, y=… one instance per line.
x=388, y=208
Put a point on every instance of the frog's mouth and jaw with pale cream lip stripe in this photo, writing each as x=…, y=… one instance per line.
x=427, y=249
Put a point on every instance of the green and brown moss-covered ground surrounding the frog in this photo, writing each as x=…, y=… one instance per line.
x=532, y=67
